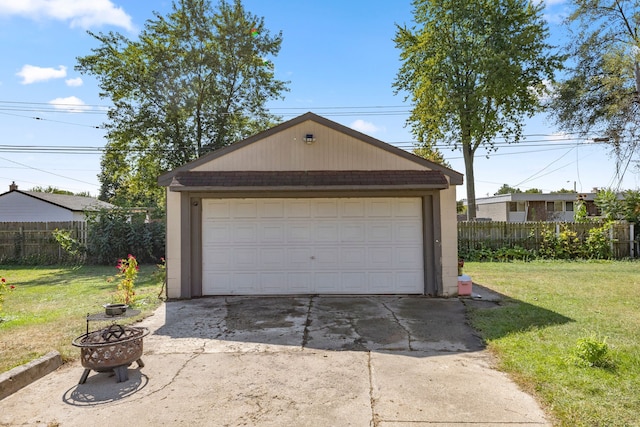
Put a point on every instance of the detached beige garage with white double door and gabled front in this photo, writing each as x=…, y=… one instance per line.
x=311, y=207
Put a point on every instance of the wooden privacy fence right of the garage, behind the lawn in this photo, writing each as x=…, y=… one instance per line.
x=528, y=235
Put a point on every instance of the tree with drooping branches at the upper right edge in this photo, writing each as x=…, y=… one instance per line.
x=601, y=92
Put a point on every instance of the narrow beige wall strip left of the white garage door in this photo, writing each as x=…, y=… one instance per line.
x=173, y=252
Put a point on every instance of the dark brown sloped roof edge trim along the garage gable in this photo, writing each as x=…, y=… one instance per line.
x=166, y=179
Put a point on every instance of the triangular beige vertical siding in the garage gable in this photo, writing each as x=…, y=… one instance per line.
x=331, y=150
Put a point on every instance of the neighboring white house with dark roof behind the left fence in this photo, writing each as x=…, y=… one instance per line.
x=31, y=206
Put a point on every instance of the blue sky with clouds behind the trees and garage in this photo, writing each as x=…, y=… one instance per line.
x=338, y=56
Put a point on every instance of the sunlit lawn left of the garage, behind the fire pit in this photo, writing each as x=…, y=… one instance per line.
x=47, y=309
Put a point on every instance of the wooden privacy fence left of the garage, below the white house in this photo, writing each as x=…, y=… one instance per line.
x=34, y=240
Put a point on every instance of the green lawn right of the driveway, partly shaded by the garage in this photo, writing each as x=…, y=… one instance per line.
x=548, y=308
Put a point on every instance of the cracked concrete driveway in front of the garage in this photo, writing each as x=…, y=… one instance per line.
x=291, y=361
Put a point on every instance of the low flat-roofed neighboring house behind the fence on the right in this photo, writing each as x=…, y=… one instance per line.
x=522, y=207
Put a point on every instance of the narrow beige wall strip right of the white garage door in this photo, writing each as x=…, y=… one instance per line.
x=449, y=241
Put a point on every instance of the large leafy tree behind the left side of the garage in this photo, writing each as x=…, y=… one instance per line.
x=194, y=81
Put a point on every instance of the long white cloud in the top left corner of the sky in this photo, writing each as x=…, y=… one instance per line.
x=79, y=13
